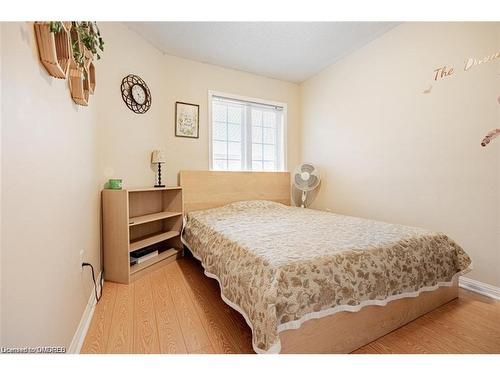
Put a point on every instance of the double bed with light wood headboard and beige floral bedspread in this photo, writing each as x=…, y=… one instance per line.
x=308, y=281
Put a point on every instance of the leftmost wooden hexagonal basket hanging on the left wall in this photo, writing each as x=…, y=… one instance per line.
x=54, y=48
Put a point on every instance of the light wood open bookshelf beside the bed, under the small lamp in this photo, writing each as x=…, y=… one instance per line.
x=134, y=219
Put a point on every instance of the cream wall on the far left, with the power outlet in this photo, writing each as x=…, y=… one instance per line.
x=50, y=198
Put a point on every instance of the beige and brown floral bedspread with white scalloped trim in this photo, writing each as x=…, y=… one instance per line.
x=278, y=263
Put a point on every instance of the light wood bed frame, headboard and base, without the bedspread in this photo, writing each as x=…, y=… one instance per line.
x=342, y=332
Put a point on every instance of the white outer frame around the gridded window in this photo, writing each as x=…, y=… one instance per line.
x=284, y=139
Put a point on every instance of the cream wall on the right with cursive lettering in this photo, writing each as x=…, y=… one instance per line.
x=389, y=152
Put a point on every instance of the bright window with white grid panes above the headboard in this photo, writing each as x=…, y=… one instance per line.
x=246, y=134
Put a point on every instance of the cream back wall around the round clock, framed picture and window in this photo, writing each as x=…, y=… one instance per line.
x=127, y=139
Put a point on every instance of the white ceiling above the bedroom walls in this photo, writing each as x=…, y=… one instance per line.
x=290, y=51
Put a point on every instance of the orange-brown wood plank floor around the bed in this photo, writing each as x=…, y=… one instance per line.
x=177, y=309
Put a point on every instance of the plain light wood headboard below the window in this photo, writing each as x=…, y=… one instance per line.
x=207, y=189
